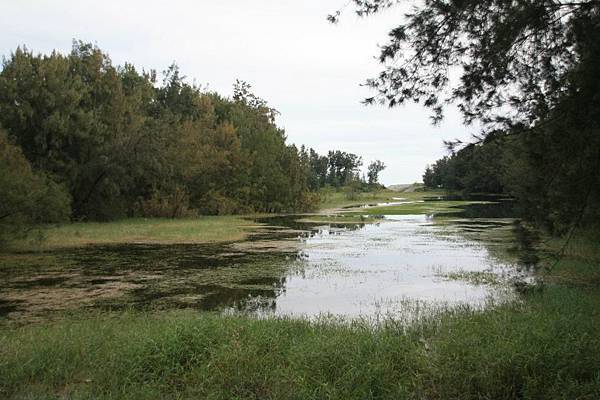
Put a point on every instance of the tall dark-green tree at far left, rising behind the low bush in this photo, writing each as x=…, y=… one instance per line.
x=80, y=120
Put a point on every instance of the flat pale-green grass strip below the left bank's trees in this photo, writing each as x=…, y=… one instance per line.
x=206, y=229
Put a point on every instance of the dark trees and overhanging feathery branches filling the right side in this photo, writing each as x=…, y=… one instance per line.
x=527, y=71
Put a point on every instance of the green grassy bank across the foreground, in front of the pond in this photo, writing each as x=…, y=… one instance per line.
x=546, y=347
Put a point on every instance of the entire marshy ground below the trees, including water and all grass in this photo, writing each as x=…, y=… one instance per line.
x=422, y=297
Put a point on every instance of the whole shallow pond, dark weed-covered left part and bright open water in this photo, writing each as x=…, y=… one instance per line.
x=288, y=268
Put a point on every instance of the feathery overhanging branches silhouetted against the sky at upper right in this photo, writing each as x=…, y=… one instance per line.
x=519, y=53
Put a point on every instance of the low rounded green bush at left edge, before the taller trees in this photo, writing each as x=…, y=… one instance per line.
x=27, y=197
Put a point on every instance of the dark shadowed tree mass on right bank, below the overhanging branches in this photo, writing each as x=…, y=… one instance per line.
x=552, y=170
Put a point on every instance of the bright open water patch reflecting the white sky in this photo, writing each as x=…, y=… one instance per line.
x=376, y=269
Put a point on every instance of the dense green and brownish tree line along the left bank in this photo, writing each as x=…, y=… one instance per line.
x=96, y=141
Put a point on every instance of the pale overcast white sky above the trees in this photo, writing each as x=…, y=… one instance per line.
x=308, y=69
